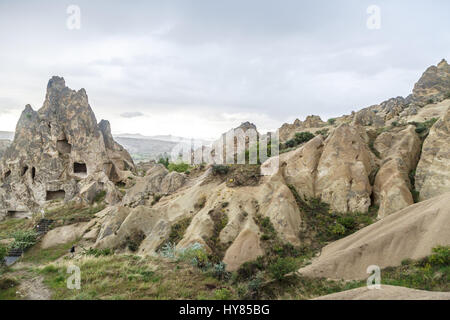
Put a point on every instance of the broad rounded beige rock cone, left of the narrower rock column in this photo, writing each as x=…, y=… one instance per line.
x=343, y=170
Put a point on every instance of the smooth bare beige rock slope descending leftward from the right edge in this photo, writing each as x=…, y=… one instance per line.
x=407, y=234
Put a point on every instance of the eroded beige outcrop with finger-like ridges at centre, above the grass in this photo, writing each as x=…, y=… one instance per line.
x=205, y=202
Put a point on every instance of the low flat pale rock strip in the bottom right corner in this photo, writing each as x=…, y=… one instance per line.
x=386, y=292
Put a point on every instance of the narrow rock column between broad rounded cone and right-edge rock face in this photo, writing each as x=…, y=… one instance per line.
x=400, y=153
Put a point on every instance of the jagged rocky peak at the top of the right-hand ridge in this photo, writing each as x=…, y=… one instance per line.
x=434, y=83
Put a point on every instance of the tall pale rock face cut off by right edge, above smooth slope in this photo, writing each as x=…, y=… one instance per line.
x=433, y=170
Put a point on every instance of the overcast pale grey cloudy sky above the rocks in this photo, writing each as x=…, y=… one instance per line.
x=198, y=68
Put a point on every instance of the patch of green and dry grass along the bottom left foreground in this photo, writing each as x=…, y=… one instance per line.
x=130, y=277
